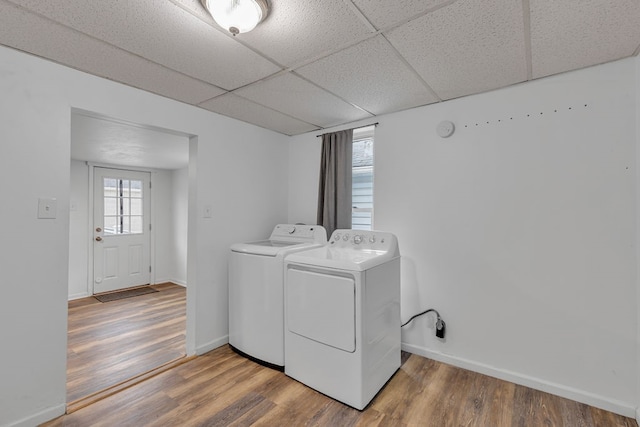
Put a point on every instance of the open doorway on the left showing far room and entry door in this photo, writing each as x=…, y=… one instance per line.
x=135, y=234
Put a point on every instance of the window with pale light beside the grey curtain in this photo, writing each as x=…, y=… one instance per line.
x=362, y=179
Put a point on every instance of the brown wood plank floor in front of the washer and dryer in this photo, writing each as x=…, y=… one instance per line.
x=222, y=388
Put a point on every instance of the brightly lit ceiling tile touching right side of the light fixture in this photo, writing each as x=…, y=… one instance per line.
x=297, y=30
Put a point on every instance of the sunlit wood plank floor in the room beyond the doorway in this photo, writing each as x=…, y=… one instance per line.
x=114, y=341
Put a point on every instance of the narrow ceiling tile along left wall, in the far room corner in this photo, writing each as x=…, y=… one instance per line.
x=239, y=108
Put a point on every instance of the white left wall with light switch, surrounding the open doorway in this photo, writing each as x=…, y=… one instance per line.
x=233, y=159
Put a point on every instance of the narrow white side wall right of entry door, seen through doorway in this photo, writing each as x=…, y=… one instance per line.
x=179, y=206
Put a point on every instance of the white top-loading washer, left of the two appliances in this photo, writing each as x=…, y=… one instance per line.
x=256, y=291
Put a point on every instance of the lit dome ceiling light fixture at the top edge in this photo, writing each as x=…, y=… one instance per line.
x=237, y=16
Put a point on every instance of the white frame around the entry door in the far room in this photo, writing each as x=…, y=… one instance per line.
x=90, y=225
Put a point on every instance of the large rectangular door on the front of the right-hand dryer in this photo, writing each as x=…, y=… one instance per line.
x=321, y=306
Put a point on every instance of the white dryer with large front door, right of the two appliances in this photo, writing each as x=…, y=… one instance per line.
x=342, y=328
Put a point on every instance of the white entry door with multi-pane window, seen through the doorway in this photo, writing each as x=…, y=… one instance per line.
x=121, y=235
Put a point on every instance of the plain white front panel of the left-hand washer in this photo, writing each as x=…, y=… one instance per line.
x=256, y=306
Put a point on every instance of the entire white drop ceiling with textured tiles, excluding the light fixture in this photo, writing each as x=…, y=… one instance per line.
x=317, y=64
